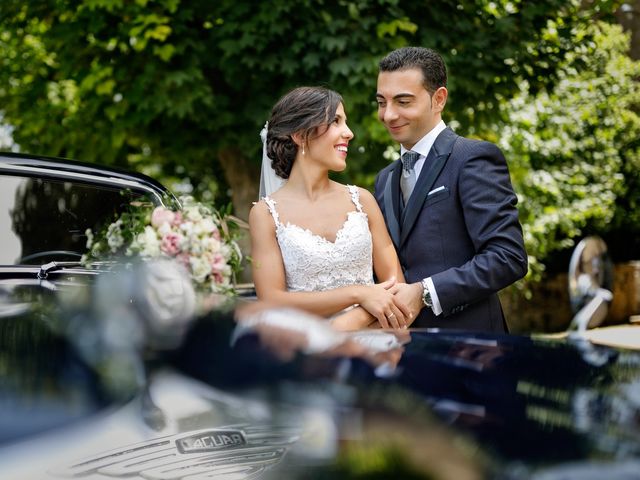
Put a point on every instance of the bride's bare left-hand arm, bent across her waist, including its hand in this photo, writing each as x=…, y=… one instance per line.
x=269, y=278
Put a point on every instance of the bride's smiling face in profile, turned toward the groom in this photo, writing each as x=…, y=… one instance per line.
x=331, y=145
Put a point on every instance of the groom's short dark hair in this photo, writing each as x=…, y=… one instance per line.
x=434, y=71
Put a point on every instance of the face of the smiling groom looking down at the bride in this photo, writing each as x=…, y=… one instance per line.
x=405, y=106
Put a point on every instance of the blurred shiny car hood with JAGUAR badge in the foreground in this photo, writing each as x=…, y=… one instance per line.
x=263, y=399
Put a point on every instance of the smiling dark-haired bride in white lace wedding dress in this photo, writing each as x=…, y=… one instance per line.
x=316, y=243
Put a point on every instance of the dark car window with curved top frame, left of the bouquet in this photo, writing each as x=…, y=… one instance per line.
x=65, y=206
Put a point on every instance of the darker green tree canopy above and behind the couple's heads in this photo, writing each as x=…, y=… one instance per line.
x=173, y=83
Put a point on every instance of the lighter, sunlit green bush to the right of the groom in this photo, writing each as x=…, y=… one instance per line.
x=574, y=150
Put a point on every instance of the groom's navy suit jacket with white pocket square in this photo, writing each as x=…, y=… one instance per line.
x=460, y=227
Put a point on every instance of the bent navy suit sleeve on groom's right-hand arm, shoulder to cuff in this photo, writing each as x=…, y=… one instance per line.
x=488, y=205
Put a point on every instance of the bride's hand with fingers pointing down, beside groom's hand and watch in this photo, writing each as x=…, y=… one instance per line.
x=379, y=301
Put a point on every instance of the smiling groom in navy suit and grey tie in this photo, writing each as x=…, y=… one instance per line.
x=448, y=203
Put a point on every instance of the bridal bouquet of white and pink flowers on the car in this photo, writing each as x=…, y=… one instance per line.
x=199, y=237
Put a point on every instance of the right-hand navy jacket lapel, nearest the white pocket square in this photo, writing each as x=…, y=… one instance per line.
x=433, y=165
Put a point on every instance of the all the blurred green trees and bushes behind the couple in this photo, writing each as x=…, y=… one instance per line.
x=179, y=89
